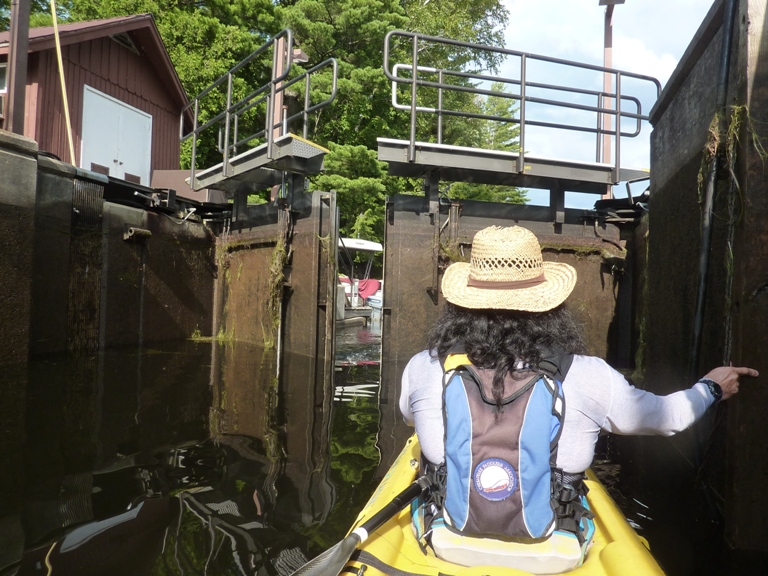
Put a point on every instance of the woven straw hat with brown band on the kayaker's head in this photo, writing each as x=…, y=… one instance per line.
x=507, y=272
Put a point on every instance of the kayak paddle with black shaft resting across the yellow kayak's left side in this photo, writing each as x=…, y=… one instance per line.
x=332, y=560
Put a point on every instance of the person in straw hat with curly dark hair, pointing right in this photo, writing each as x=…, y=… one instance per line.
x=505, y=317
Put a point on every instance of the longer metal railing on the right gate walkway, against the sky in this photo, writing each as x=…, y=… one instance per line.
x=616, y=105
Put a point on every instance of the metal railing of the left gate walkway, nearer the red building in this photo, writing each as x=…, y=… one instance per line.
x=264, y=99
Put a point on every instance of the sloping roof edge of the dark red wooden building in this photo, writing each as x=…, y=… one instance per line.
x=144, y=35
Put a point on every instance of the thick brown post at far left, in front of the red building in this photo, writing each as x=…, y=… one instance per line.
x=17, y=66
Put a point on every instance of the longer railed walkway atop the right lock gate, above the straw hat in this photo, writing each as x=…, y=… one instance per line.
x=434, y=91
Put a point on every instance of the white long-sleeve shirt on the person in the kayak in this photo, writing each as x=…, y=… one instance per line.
x=597, y=397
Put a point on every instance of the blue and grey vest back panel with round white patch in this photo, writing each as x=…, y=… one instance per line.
x=501, y=479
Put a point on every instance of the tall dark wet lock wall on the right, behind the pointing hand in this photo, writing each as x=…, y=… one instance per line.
x=731, y=458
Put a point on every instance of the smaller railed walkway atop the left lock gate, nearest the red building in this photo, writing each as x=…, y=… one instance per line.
x=262, y=156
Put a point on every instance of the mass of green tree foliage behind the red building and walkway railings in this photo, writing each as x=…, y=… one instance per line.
x=205, y=38
